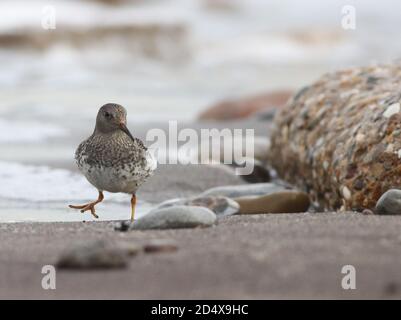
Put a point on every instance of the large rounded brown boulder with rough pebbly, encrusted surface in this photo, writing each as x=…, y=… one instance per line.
x=340, y=138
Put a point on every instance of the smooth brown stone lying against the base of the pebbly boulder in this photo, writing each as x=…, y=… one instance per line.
x=278, y=202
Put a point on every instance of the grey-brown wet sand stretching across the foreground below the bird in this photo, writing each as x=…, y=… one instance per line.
x=243, y=257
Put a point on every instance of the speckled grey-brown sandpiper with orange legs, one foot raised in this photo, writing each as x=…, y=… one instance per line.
x=112, y=159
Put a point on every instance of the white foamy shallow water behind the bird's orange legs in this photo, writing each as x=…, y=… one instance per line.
x=39, y=193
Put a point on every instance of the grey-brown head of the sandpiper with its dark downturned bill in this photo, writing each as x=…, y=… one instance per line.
x=112, y=117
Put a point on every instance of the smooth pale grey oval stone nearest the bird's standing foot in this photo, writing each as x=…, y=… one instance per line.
x=176, y=217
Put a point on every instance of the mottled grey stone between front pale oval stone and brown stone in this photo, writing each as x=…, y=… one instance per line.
x=221, y=206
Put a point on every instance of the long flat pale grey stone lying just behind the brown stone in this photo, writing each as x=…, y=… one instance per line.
x=243, y=190
